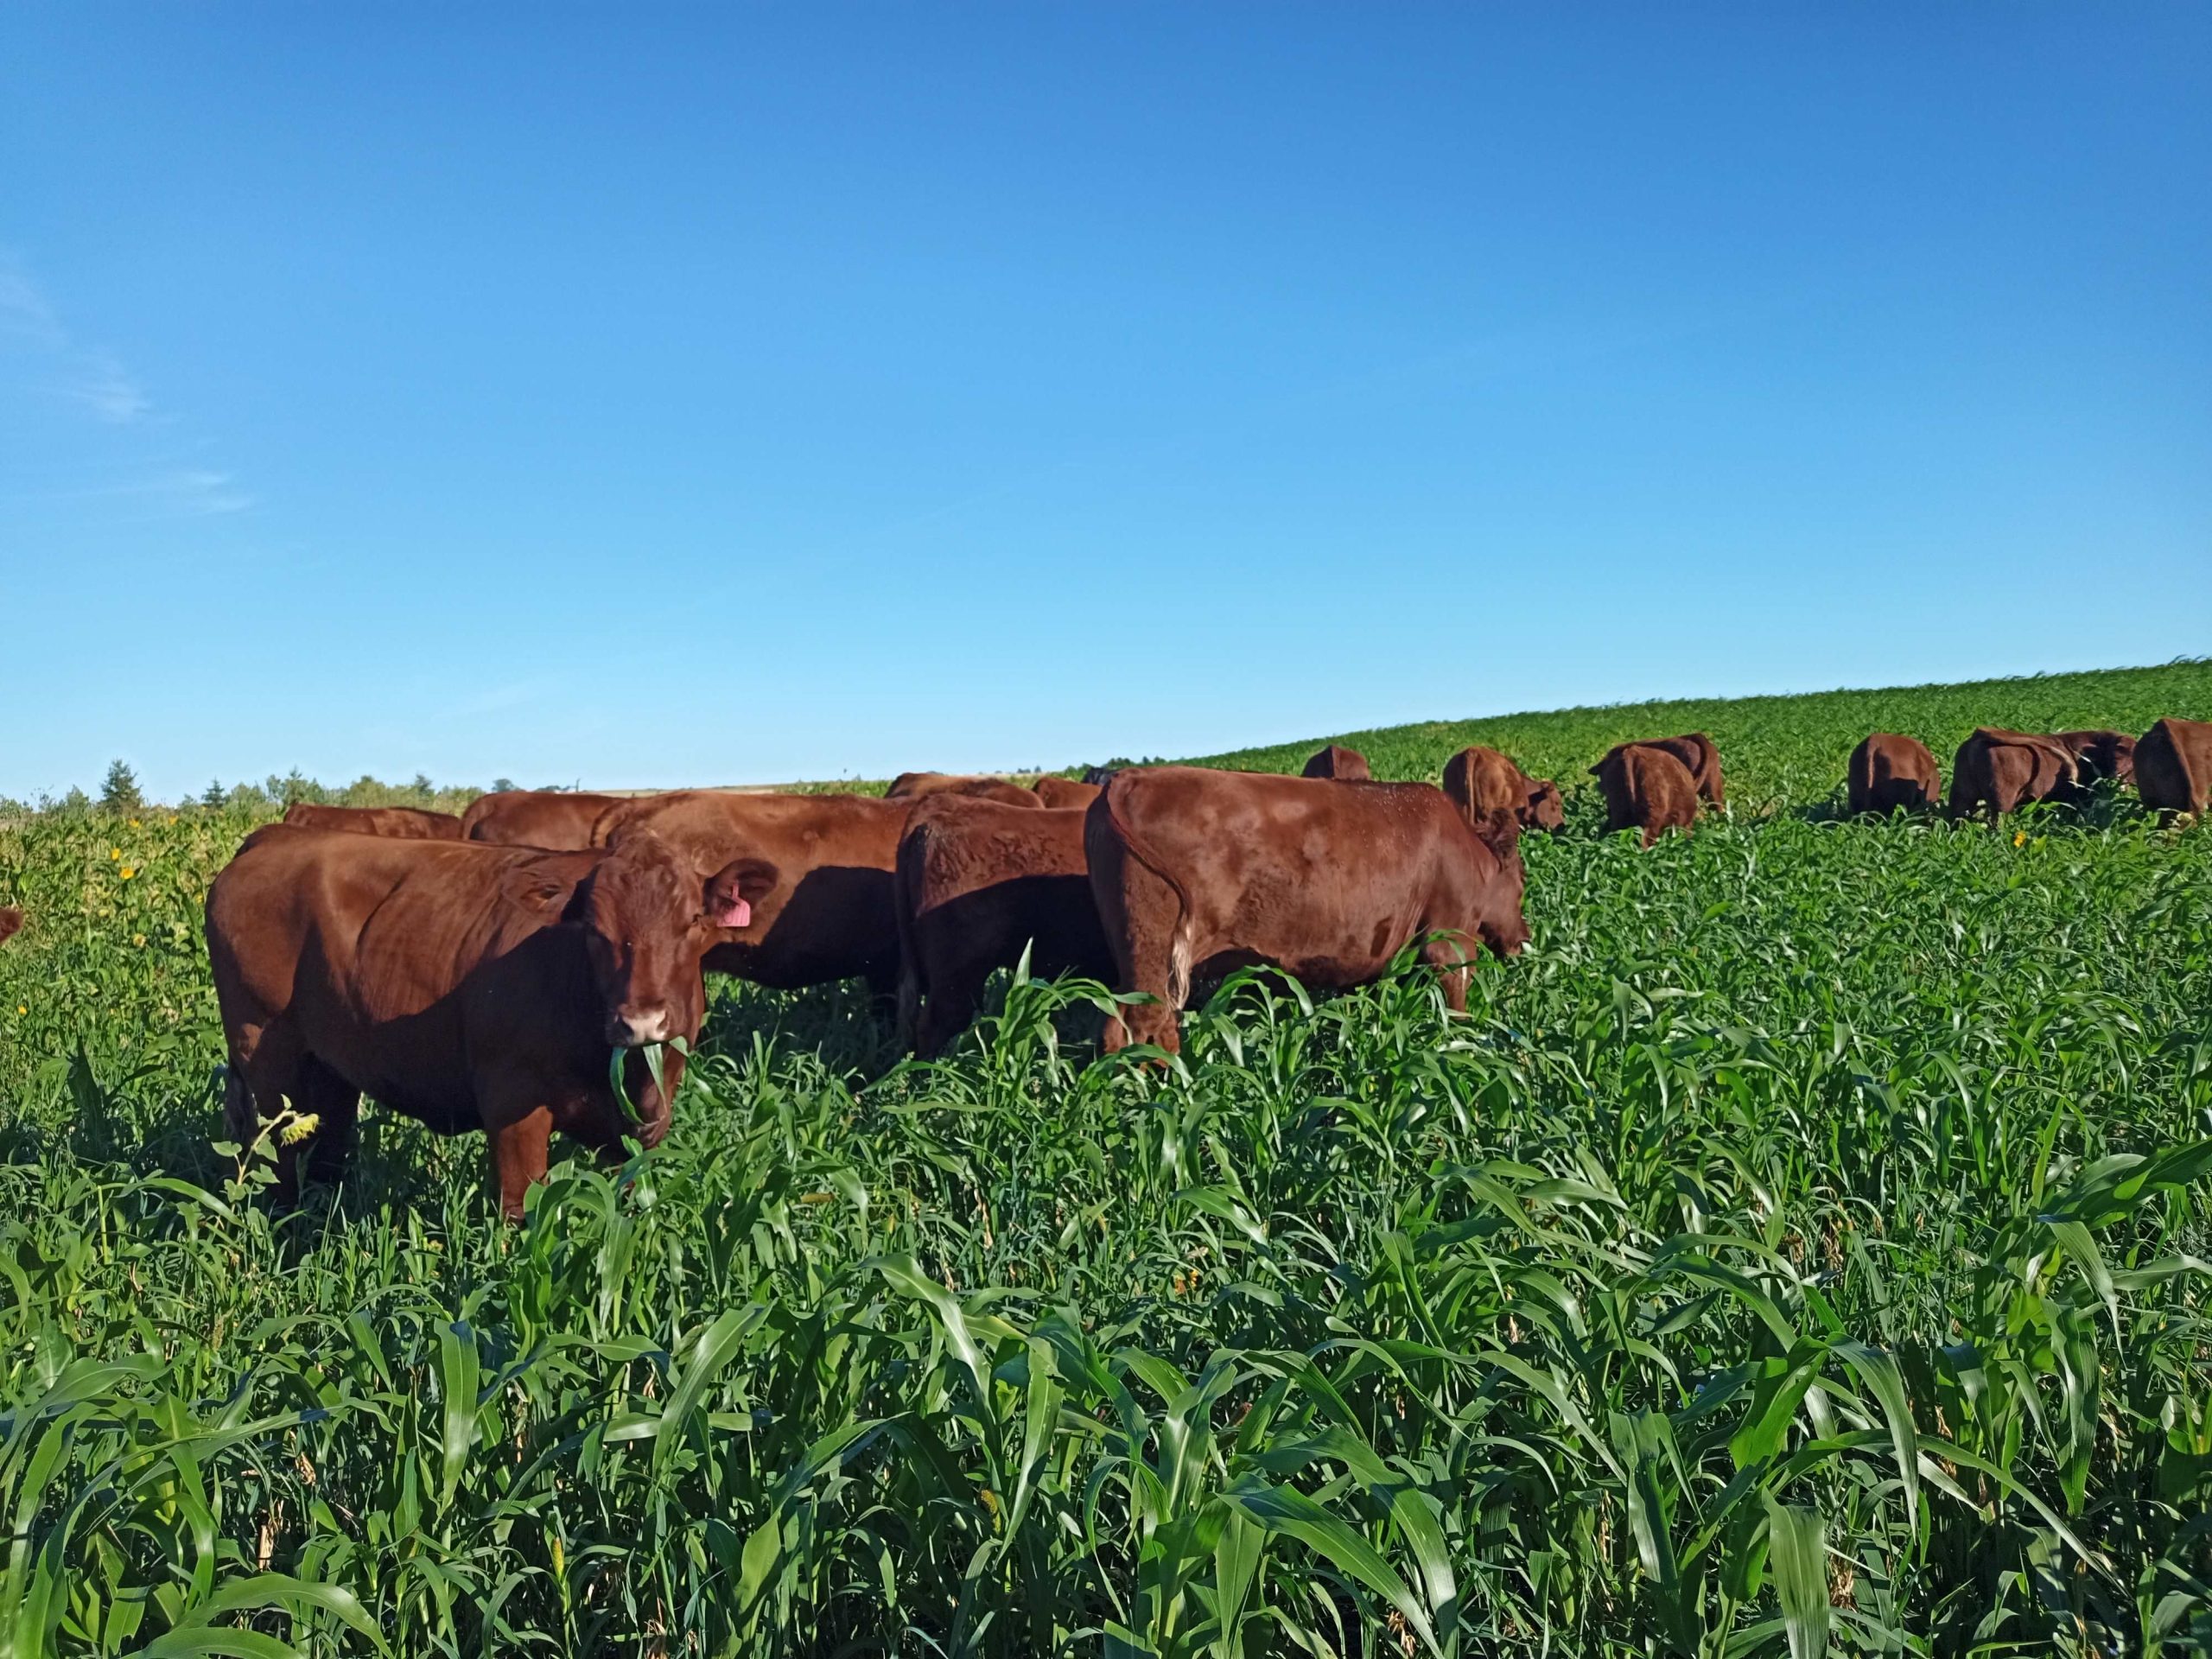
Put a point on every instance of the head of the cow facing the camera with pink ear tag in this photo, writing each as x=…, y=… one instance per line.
x=647, y=921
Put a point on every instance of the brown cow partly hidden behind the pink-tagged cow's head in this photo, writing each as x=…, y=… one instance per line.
x=831, y=917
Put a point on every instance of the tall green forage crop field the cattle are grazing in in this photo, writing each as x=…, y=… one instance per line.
x=1804, y=1246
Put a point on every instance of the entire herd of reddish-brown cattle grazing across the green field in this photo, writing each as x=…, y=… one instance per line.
x=499, y=970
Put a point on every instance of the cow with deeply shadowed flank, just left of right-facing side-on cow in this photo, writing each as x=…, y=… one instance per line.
x=979, y=884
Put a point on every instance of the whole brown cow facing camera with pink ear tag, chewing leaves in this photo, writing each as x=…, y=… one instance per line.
x=463, y=985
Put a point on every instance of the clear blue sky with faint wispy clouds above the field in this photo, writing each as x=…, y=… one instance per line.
x=742, y=395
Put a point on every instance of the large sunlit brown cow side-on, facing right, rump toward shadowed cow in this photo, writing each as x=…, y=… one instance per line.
x=1200, y=873
